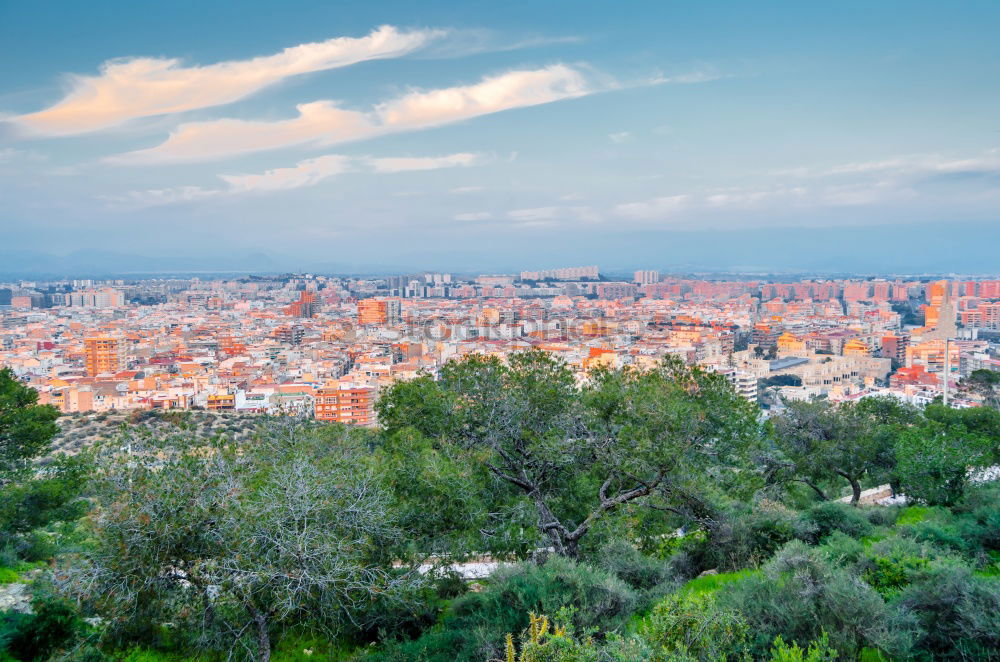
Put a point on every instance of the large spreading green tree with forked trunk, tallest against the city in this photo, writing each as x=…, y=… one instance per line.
x=577, y=454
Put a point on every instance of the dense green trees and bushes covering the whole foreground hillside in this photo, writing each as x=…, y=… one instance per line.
x=639, y=516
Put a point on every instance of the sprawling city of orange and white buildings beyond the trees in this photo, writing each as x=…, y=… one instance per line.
x=328, y=346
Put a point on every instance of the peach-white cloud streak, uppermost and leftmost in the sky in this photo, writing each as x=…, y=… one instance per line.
x=141, y=87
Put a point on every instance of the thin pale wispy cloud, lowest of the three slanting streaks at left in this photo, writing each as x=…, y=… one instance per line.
x=308, y=172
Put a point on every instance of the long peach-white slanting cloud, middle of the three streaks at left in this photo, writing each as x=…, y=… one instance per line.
x=324, y=123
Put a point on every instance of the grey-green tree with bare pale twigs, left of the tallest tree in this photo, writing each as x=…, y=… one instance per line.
x=234, y=544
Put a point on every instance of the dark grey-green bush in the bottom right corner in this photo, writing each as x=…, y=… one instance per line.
x=959, y=614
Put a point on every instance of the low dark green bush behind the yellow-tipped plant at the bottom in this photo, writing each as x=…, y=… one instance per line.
x=475, y=626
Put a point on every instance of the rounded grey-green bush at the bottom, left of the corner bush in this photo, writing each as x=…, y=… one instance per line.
x=800, y=596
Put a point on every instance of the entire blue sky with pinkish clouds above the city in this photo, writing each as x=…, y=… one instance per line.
x=482, y=135
